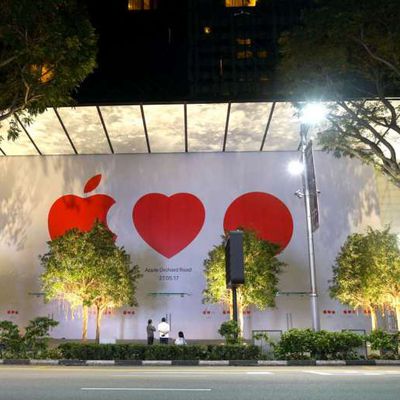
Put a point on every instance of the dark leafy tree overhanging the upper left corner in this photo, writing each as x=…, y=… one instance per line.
x=47, y=47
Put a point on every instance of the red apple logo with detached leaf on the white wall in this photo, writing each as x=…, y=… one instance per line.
x=72, y=211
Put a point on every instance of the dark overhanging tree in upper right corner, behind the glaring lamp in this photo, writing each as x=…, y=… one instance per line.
x=348, y=52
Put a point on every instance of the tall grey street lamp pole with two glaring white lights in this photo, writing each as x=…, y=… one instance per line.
x=311, y=114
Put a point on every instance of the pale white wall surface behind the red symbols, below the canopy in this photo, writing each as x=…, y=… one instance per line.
x=31, y=185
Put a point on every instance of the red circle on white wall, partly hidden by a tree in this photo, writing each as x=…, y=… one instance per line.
x=263, y=213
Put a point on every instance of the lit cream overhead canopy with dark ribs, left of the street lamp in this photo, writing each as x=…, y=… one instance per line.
x=158, y=128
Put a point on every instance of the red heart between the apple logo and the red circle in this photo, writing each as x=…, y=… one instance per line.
x=168, y=224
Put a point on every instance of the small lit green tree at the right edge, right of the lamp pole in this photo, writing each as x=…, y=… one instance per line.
x=367, y=272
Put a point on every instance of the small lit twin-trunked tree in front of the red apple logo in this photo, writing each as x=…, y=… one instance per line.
x=87, y=269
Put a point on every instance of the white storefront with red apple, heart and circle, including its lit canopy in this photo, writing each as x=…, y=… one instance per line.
x=207, y=155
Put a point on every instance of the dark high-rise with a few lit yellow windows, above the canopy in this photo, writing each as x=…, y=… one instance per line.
x=233, y=51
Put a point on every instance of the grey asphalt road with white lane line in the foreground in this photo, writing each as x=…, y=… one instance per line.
x=205, y=383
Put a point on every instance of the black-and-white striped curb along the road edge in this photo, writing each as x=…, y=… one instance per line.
x=209, y=363
